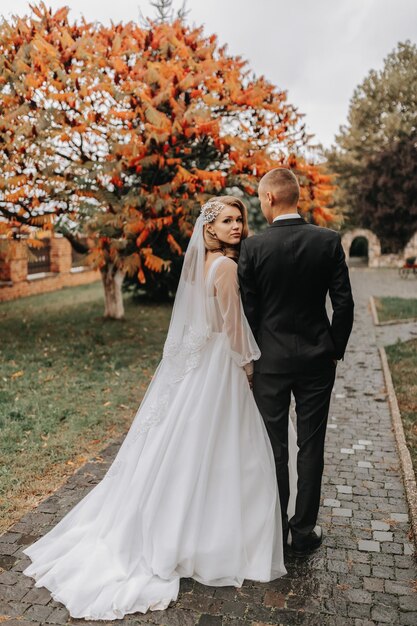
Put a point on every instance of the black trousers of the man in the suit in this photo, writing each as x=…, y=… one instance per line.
x=312, y=392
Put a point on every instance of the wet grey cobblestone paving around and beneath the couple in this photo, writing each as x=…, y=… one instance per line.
x=364, y=572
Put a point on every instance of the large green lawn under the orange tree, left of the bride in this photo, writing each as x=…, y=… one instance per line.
x=70, y=381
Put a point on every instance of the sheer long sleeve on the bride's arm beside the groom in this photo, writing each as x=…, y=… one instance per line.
x=243, y=346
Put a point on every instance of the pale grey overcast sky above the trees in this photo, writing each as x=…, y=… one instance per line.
x=317, y=50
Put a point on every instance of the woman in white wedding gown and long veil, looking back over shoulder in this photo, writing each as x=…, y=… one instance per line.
x=192, y=491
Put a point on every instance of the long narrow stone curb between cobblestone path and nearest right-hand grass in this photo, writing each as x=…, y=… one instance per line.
x=404, y=453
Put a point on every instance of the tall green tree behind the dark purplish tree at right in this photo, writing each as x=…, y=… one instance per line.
x=383, y=111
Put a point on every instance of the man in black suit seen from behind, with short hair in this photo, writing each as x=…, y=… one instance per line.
x=285, y=273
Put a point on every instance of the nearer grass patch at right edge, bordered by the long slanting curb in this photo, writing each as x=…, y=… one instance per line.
x=402, y=358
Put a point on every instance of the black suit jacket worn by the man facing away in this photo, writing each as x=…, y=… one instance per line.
x=285, y=274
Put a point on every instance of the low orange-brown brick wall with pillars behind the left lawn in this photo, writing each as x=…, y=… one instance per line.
x=15, y=282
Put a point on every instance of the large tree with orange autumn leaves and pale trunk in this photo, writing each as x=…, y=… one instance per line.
x=122, y=132
